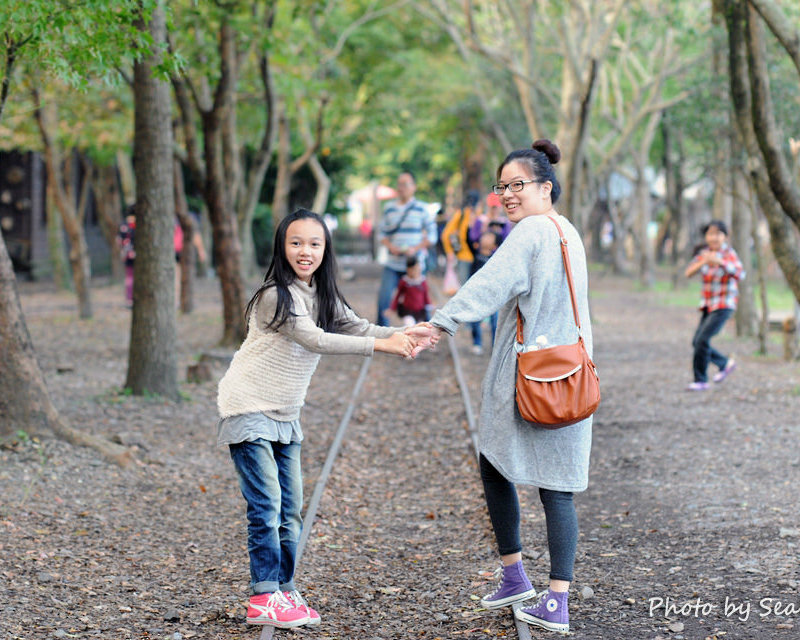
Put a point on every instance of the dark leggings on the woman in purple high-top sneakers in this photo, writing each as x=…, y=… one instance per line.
x=560, y=516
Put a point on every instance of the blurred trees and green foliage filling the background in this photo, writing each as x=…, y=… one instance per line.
x=245, y=110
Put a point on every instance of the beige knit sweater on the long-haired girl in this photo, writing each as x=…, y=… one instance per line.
x=271, y=371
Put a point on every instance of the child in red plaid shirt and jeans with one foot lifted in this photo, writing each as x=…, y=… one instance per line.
x=721, y=271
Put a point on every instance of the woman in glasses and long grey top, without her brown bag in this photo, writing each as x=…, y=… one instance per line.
x=527, y=272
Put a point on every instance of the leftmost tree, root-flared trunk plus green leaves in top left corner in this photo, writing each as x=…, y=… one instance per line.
x=54, y=34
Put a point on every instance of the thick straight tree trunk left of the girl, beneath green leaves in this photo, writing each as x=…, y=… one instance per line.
x=152, y=361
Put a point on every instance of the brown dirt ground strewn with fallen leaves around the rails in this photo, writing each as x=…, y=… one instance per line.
x=689, y=528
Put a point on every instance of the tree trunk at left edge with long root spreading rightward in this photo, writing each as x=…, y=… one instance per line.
x=25, y=404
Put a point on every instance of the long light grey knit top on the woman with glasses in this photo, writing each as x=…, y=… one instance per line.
x=527, y=268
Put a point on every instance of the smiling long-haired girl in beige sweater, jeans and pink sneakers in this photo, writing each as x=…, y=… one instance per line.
x=297, y=314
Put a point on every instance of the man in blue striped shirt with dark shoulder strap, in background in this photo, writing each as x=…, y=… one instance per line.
x=407, y=229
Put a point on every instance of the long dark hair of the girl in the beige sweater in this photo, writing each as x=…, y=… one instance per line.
x=280, y=275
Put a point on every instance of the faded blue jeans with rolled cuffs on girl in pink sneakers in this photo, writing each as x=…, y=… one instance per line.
x=272, y=484
